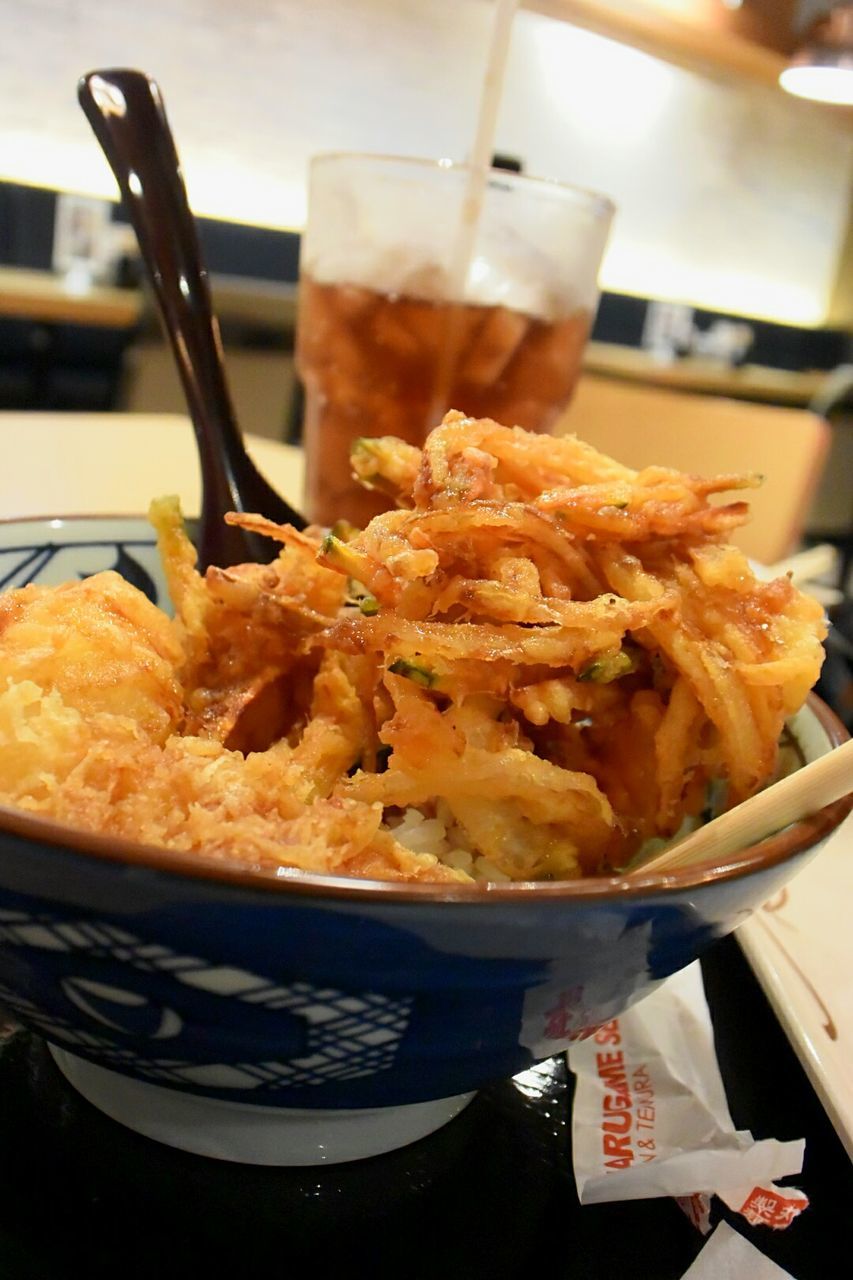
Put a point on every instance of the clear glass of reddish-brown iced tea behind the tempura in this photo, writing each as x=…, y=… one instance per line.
x=389, y=340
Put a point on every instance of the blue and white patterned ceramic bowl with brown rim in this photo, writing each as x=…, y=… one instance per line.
x=298, y=1020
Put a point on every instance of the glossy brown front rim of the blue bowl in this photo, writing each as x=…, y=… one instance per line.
x=769, y=853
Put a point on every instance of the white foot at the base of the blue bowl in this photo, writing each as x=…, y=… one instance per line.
x=250, y=1135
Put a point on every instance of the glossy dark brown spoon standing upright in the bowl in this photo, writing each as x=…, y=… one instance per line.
x=129, y=117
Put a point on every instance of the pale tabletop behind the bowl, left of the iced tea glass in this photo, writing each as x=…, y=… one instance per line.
x=115, y=464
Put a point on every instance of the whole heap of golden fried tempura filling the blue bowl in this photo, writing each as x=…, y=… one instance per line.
x=546, y=652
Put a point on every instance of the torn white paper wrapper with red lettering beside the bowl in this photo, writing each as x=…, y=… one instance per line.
x=651, y=1117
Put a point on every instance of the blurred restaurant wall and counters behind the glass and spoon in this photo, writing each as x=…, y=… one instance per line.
x=729, y=272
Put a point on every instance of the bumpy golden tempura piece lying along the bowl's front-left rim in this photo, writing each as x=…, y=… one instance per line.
x=190, y=794
